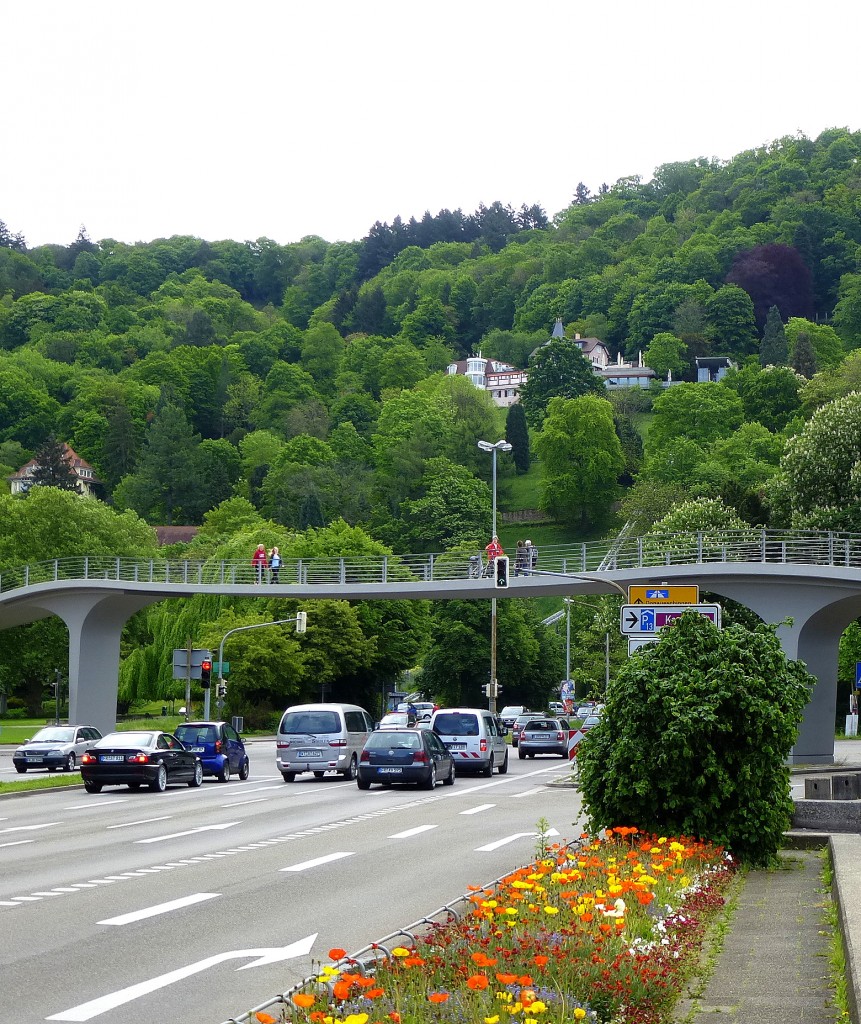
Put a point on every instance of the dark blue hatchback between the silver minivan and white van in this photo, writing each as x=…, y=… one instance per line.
x=405, y=756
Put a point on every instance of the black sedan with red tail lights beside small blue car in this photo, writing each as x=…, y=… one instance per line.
x=136, y=759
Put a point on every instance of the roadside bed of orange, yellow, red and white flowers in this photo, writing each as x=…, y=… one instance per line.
x=608, y=930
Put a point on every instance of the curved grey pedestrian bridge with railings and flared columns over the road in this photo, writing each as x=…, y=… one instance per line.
x=809, y=583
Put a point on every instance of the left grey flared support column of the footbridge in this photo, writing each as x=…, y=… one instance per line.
x=96, y=622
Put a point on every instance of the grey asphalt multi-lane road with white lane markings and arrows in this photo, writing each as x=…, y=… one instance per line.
x=195, y=906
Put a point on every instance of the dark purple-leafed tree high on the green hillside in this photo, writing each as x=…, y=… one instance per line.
x=774, y=276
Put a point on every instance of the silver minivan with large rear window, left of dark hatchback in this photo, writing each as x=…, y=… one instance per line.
x=322, y=738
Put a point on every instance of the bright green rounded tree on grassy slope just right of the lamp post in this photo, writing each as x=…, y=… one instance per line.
x=582, y=459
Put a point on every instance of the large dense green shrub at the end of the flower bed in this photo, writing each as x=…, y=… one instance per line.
x=695, y=740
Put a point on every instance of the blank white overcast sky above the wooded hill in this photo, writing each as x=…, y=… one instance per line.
x=281, y=119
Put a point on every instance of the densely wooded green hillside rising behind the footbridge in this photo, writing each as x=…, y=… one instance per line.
x=297, y=393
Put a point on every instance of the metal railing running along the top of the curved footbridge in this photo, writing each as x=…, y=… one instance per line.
x=591, y=559
